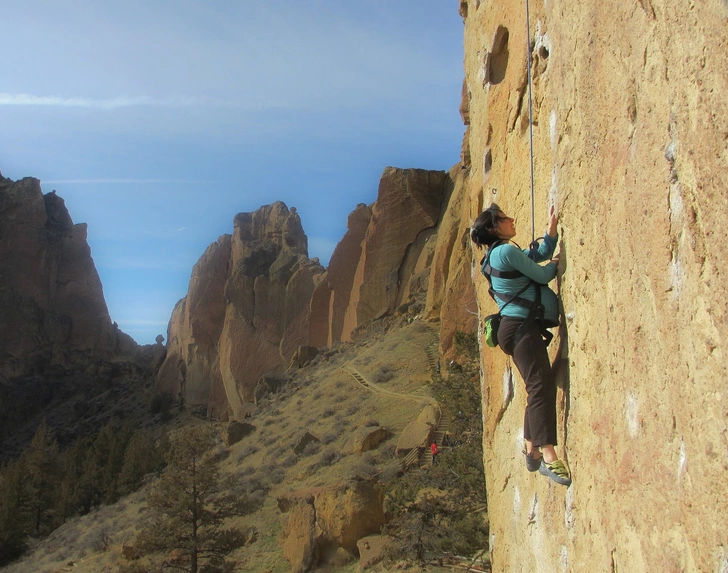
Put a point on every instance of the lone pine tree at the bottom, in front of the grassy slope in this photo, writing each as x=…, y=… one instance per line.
x=189, y=506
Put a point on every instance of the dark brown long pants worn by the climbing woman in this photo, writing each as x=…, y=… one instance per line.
x=532, y=361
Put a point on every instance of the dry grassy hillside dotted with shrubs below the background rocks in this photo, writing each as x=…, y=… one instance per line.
x=322, y=398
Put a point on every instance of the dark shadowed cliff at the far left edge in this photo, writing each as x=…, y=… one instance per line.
x=52, y=307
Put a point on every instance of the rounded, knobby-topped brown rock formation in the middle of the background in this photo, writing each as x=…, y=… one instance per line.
x=245, y=314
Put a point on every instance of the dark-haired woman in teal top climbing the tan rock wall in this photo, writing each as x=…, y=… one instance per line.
x=522, y=336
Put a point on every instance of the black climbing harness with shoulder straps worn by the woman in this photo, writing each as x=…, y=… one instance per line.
x=536, y=310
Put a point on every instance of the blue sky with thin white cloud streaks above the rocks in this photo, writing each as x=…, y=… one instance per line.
x=159, y=120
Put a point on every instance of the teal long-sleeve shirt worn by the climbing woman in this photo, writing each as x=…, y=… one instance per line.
x=507, y=257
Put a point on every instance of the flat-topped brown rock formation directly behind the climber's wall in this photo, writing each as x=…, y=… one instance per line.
x=404, y=252
